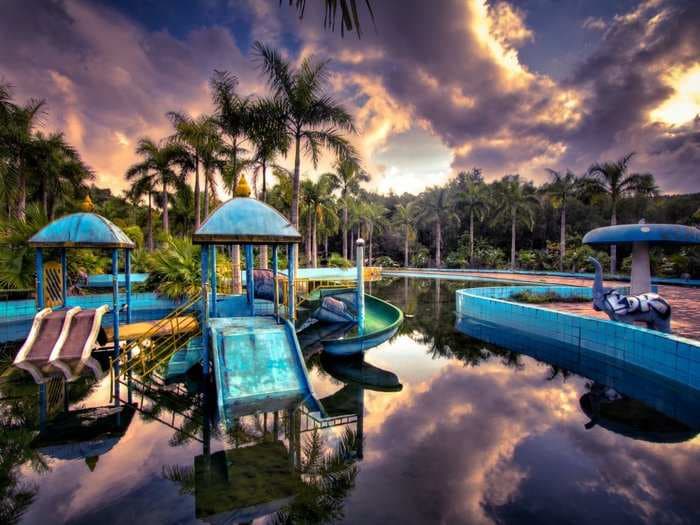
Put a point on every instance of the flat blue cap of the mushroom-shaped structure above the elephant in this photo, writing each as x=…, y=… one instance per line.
x=649, y=233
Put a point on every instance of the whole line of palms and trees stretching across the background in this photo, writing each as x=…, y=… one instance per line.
x=467, y=222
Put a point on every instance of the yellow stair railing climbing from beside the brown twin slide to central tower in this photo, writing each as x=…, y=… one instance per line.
x=165, y=337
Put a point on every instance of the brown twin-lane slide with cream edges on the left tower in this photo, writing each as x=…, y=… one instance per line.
x=62, y=341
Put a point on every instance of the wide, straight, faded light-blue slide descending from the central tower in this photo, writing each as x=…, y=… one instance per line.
x=258, y=364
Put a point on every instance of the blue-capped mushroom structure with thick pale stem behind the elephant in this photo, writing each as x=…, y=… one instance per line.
x=641, y=236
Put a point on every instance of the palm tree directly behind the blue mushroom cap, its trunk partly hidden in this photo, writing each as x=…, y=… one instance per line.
x=611, y=178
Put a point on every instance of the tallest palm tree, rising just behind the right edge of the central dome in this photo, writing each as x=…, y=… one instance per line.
x=311, y=118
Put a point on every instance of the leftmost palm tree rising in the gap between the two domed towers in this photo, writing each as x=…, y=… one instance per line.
x=160, y=161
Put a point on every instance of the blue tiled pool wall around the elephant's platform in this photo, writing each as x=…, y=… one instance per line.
x=671, y=356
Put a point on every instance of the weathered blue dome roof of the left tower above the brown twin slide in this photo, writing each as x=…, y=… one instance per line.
x=81, y=230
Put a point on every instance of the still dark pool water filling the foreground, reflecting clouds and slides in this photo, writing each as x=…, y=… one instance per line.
x=473, y=433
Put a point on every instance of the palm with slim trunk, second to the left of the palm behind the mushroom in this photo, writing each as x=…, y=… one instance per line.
x=518, y=202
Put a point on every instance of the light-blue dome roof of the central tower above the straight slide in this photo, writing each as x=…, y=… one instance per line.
x=243, y=220
